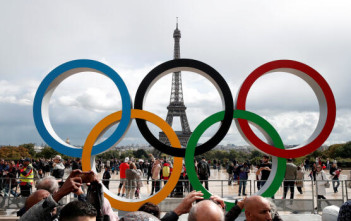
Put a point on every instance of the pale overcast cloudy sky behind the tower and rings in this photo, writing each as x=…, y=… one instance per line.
x=133, y=37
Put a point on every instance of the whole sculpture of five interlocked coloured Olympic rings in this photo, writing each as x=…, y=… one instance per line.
x=242, y=117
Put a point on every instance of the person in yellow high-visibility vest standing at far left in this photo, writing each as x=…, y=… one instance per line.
x=26, y=178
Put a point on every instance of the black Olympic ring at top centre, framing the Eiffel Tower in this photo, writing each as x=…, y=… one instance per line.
x=199, y=68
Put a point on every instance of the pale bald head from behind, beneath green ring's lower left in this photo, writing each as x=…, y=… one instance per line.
x=206, y=210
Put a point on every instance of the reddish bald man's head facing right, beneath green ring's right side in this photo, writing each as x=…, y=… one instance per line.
x=257, y=208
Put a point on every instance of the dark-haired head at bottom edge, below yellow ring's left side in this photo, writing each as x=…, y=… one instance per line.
x=78, y=211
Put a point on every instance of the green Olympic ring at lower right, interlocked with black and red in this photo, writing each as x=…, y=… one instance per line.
x=276, y=176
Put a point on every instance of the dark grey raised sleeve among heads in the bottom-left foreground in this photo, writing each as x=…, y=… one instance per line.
x=40, y=211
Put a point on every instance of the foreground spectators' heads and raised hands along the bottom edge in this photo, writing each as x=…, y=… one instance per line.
x=44, y=204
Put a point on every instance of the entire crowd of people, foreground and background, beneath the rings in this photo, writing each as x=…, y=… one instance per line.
x=17, y=178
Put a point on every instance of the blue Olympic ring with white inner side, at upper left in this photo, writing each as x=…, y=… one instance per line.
x=46, y=89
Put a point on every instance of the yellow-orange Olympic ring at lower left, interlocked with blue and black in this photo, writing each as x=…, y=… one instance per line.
x=114, y=118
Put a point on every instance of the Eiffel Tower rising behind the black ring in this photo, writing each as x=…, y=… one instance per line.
x=176, y=107
